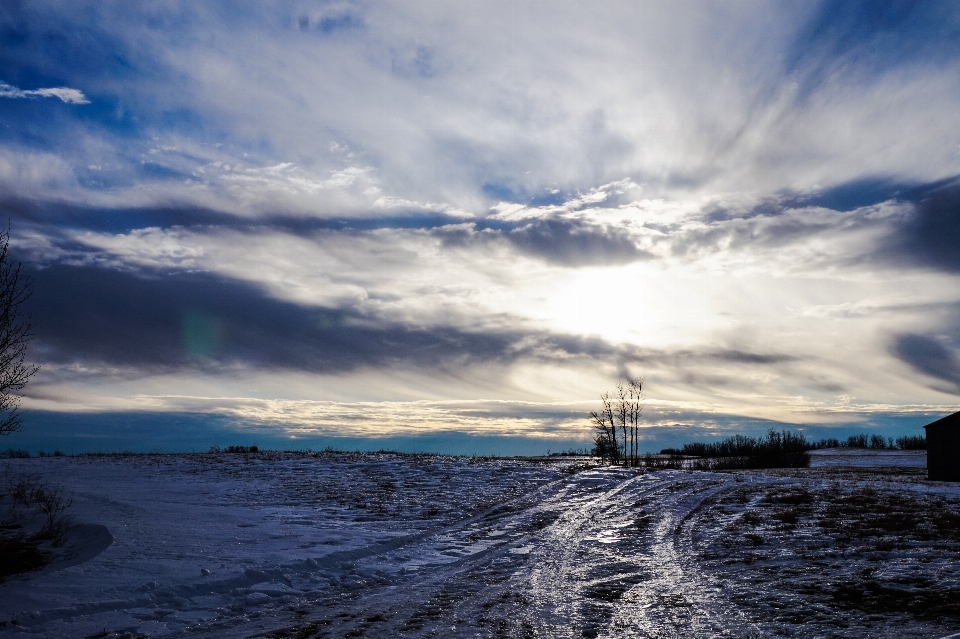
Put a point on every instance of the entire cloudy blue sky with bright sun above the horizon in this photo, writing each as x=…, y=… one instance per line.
x=317, y=220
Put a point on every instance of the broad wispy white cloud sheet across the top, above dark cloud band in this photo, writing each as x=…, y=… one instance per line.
x=445, y=107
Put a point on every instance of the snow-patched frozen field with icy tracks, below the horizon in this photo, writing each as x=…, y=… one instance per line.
x=374, y=545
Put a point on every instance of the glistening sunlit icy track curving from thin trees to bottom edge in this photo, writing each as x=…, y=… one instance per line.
x=620, y=565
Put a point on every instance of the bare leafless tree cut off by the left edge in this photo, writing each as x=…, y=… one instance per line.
x=16, y=331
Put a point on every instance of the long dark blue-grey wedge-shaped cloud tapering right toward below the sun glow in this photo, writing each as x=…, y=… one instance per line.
x=163, y=321
